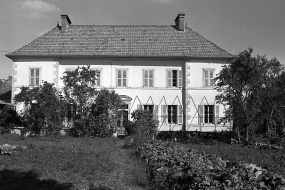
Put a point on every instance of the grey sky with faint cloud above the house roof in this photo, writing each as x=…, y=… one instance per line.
x=234, y=25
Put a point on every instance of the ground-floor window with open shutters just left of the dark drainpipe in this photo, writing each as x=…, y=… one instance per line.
x=172, y=114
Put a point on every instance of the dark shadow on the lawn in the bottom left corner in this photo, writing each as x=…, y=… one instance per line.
x=17, y=180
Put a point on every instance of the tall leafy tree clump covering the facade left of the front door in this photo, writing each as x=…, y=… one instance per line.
x=96, y=111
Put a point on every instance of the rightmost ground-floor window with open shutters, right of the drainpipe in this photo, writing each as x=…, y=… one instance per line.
x=209, y=114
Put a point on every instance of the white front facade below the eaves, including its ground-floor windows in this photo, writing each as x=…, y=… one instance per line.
x=166, y=101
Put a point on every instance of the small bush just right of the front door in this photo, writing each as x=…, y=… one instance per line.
x=146, y=124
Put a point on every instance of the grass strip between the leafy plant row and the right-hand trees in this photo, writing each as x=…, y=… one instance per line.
x=272, y=160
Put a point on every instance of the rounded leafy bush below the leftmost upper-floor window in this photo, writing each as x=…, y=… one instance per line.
x=45, y=108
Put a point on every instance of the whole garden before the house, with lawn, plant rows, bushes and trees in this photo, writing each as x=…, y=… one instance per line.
x=88, y=157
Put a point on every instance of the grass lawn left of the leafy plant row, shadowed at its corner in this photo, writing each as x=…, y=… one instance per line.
x=65, y=163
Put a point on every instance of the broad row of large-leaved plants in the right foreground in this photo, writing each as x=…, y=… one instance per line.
x=170, y=166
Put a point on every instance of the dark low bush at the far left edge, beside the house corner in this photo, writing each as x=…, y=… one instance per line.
x=9, y=118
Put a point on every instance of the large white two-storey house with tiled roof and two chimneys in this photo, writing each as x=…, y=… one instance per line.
x=168, y=69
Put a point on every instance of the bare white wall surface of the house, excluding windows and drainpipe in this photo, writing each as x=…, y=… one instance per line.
x=52, y=71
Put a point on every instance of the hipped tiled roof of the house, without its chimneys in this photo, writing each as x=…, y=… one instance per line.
x=122, y=41
